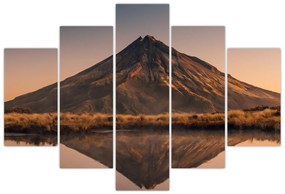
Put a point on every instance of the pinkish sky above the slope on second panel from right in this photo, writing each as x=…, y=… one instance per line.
x=204, y=42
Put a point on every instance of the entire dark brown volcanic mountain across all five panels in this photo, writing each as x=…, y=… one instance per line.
x=142, y=85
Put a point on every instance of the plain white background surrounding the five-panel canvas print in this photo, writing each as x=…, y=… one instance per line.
x=34, y=23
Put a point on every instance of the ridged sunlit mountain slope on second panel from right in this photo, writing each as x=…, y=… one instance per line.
x=196, y=85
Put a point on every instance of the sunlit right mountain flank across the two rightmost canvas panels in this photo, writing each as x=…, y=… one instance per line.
x=197, y=86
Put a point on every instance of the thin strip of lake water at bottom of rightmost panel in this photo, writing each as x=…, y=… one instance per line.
x=253, y=137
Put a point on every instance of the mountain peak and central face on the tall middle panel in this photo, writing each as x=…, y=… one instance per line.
x=142, y=77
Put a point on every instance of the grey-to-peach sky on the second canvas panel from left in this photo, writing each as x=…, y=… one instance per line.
x=82, y=47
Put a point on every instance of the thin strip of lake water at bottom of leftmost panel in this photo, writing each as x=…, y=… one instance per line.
x=19, y=139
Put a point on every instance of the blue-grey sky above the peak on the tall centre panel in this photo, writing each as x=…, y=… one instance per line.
x=135, y=20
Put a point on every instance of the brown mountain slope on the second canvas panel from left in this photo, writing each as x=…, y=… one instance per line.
x=90, y=90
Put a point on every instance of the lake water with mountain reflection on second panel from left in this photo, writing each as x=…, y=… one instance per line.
x=92, y=150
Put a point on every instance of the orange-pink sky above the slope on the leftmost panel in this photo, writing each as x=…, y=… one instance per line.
x=27, y=70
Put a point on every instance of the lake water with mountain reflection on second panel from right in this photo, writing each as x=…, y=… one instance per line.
x=198, y=148
